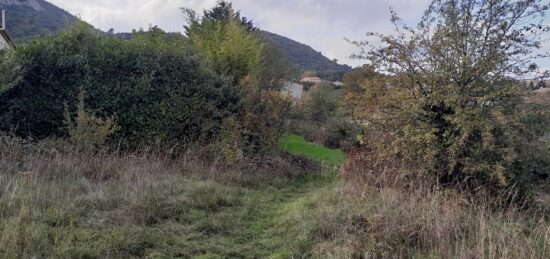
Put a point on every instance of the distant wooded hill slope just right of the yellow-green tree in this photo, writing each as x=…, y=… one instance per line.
x=306, y=58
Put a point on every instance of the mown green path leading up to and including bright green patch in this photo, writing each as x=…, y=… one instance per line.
x=278, y=222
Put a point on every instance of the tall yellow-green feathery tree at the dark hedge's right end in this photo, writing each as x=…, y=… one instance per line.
x=255, y=68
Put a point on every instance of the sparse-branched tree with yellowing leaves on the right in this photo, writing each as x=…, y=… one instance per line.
x=440, y=99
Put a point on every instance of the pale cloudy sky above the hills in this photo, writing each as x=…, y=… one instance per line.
x=322, y=24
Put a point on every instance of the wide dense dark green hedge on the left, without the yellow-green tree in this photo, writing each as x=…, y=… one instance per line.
x=158, y=88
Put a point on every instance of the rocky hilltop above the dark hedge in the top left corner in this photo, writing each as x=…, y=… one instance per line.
x=29, y=18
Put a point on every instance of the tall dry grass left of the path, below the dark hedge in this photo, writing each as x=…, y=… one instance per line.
x=58, y=200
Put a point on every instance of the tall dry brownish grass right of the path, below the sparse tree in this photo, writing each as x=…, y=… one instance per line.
x=388, y=214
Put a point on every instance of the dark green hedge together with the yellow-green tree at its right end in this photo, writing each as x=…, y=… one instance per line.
x=164, y=91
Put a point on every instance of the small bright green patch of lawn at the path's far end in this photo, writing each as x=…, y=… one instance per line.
x=297, y=145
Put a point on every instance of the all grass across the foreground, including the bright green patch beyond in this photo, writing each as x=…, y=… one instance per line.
x=58, y=203
